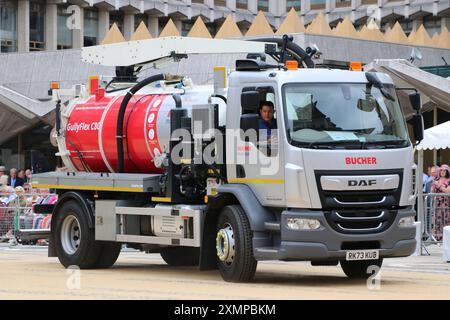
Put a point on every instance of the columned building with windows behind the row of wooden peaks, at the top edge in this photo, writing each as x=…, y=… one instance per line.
x=31, y=25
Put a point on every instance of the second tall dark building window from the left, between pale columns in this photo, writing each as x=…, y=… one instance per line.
x=37, y=25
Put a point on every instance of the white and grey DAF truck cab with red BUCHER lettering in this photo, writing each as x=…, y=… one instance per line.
x=339, y=179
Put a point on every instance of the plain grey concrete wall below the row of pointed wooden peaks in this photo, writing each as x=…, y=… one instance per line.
x=29, y=74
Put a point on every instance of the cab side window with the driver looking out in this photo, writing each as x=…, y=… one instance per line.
x=262, y=117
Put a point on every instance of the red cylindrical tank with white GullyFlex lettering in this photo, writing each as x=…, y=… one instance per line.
x=90, y=131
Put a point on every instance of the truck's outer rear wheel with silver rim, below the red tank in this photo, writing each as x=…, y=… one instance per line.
x=75, y=243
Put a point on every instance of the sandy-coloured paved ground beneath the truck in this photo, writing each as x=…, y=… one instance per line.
x=27, y=273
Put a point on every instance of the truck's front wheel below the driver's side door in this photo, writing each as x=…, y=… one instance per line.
x=234, y=248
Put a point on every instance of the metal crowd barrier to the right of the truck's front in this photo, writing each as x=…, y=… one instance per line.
x=436, y=216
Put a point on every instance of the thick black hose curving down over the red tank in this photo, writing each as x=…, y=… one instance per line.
x=123, y=107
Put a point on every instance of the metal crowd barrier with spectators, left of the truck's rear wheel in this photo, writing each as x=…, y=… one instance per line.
x=18, y=222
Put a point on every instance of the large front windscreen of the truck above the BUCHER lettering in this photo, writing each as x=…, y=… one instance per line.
x=343, y=114
